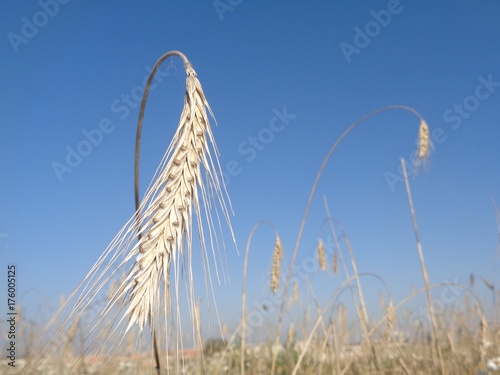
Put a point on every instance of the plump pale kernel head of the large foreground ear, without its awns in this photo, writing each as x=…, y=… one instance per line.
x=168, y=220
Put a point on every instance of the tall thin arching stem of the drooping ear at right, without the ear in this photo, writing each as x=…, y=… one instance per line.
x=308, y=205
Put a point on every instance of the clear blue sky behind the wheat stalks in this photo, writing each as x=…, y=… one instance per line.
x=69, y=67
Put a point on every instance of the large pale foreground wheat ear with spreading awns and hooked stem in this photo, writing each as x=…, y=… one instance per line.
x=134, y=273
